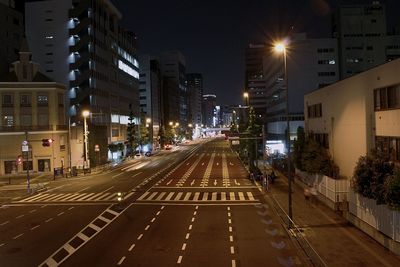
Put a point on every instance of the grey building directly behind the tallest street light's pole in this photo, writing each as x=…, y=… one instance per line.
x=311, y=64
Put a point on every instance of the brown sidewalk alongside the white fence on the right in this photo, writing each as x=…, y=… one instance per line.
x=337, y=242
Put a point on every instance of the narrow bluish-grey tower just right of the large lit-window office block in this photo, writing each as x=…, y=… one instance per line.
x=151, y=93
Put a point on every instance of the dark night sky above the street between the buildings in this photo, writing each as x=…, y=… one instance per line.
x=212, y=35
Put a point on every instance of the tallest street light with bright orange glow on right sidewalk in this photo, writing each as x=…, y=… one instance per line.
x=281, y=47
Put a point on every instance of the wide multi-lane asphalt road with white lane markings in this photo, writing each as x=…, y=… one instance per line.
x=192, y=206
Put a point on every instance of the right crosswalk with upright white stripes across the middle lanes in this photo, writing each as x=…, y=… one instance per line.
x=197, y=196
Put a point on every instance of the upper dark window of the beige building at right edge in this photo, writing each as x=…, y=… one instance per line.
x=387, y=98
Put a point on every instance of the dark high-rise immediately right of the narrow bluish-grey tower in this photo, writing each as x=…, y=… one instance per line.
x=175, y=100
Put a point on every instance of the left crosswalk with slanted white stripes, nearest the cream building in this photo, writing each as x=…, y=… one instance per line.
x=74, y=197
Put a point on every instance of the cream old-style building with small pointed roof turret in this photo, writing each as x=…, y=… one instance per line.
x=32, y=109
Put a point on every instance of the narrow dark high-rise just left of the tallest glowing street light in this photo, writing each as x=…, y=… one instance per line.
x=254, y=79
